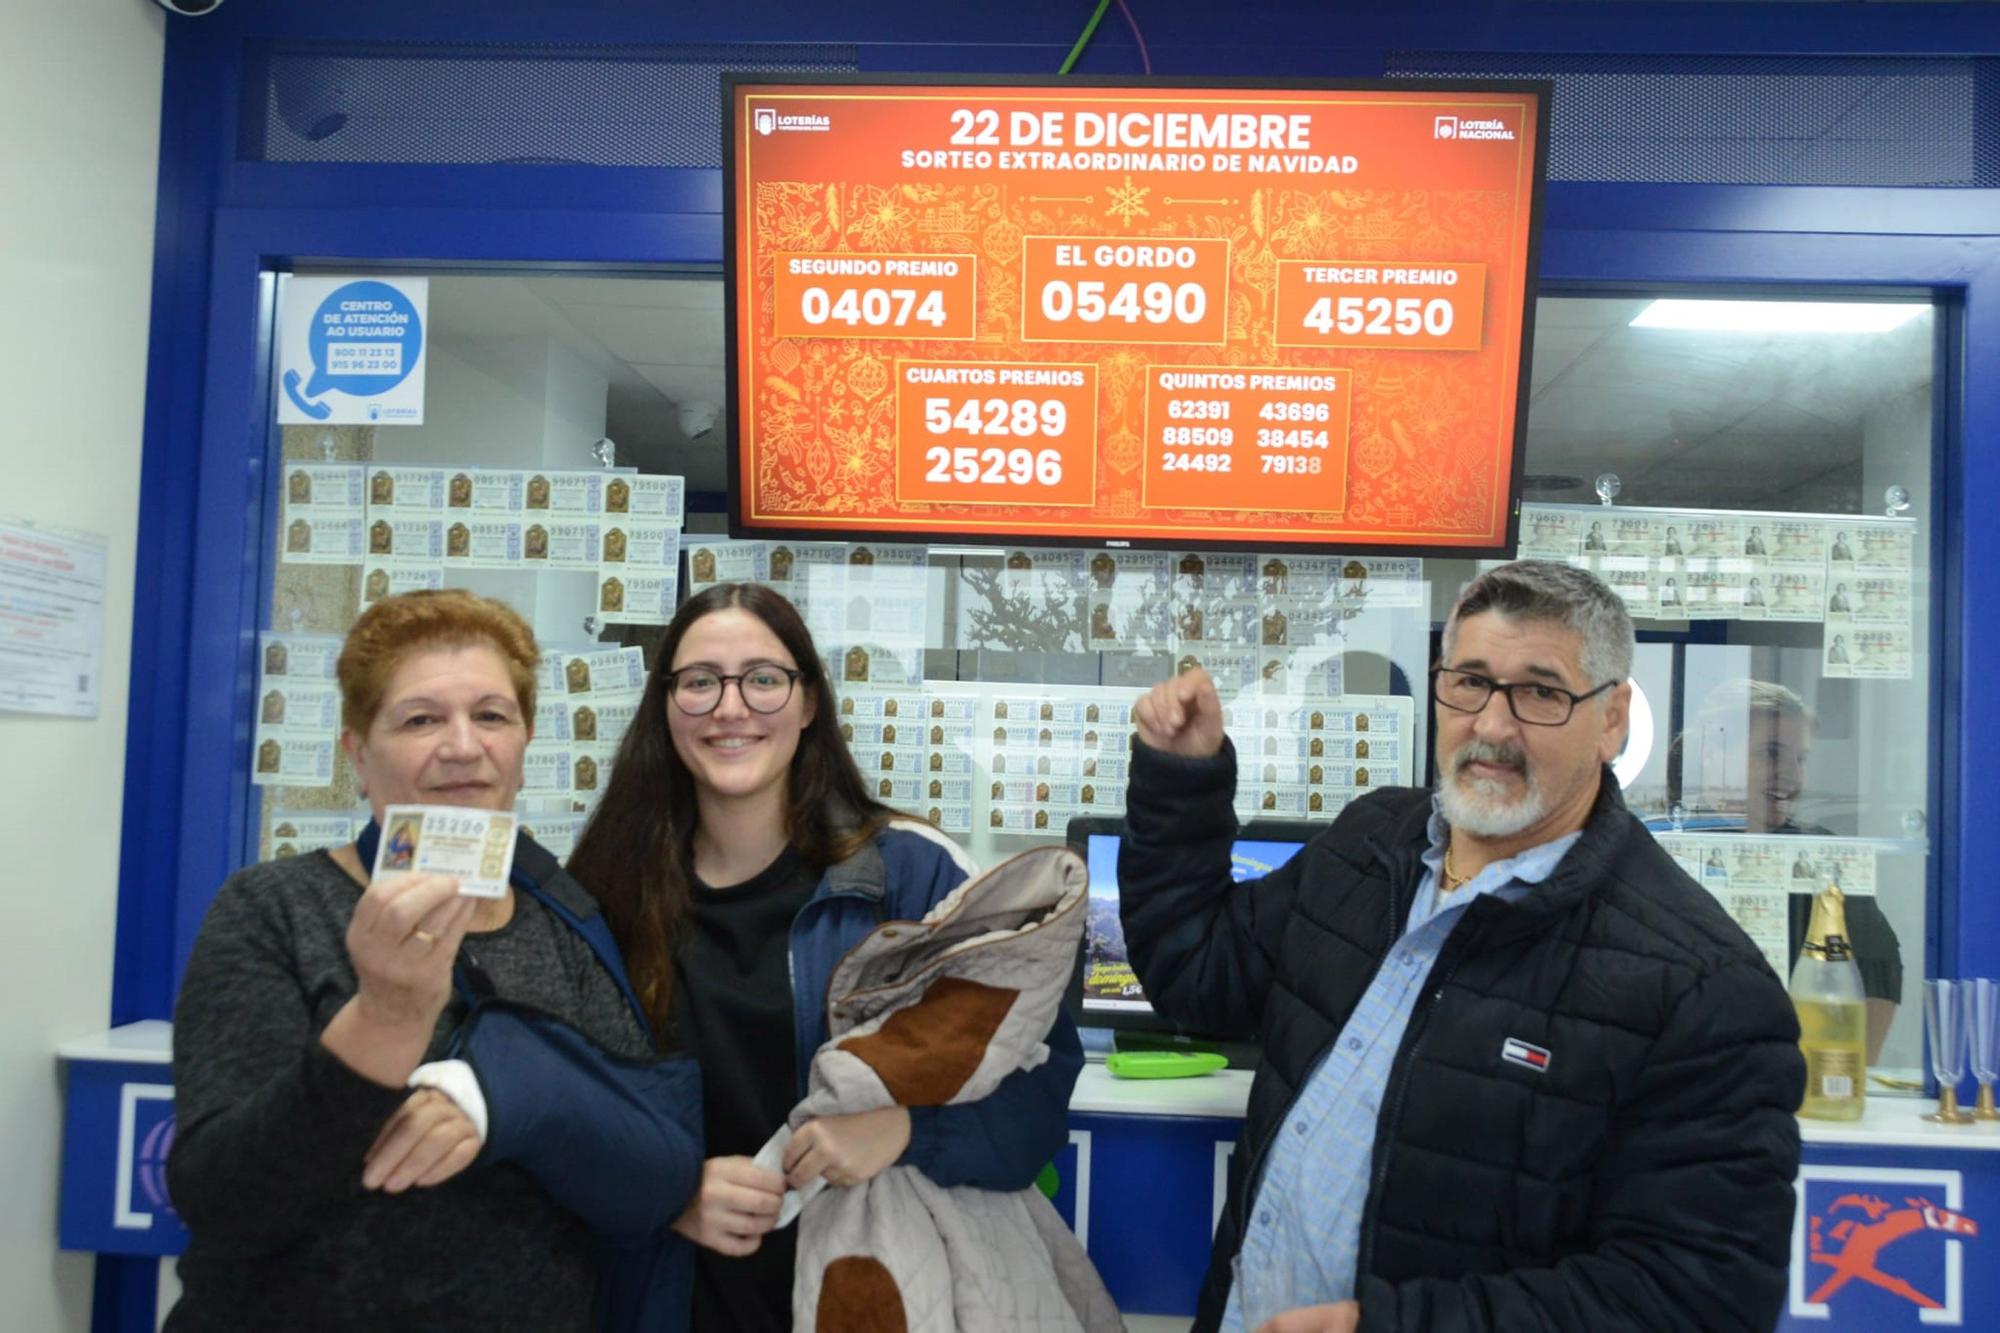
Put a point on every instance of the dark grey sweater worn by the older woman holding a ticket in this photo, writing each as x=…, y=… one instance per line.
x=273, y=1130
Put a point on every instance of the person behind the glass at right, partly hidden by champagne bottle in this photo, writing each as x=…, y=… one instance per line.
x=1747, y=754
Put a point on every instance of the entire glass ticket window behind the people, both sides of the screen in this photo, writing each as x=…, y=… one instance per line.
x=1785, y=615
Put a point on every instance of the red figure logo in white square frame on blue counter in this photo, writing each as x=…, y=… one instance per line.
x=1877, y=1246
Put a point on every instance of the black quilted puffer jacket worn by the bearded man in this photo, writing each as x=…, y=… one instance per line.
x=1643, y=1180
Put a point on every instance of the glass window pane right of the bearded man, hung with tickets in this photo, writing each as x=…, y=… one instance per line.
x=1771, y=531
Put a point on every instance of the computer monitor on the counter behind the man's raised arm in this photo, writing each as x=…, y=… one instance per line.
x=1103, y=992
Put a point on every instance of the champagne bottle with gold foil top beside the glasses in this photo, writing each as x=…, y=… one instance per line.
x=1833, y=1014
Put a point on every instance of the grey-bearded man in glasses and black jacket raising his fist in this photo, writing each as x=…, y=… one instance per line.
x=1519, y=1070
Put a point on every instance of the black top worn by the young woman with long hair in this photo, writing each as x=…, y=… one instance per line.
x=735, y=1016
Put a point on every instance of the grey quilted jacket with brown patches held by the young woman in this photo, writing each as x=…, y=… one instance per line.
x=939, y=1014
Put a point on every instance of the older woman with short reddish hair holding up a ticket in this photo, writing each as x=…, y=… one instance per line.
x=531, y=1176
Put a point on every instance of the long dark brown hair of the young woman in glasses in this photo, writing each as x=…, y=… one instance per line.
x=637, y=856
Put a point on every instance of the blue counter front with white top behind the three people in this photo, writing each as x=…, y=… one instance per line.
x=1893, y=1220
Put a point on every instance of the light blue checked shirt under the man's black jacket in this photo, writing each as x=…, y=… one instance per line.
x=1303, y=1236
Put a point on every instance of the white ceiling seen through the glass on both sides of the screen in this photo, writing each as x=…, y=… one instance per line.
x=1687, y=419
